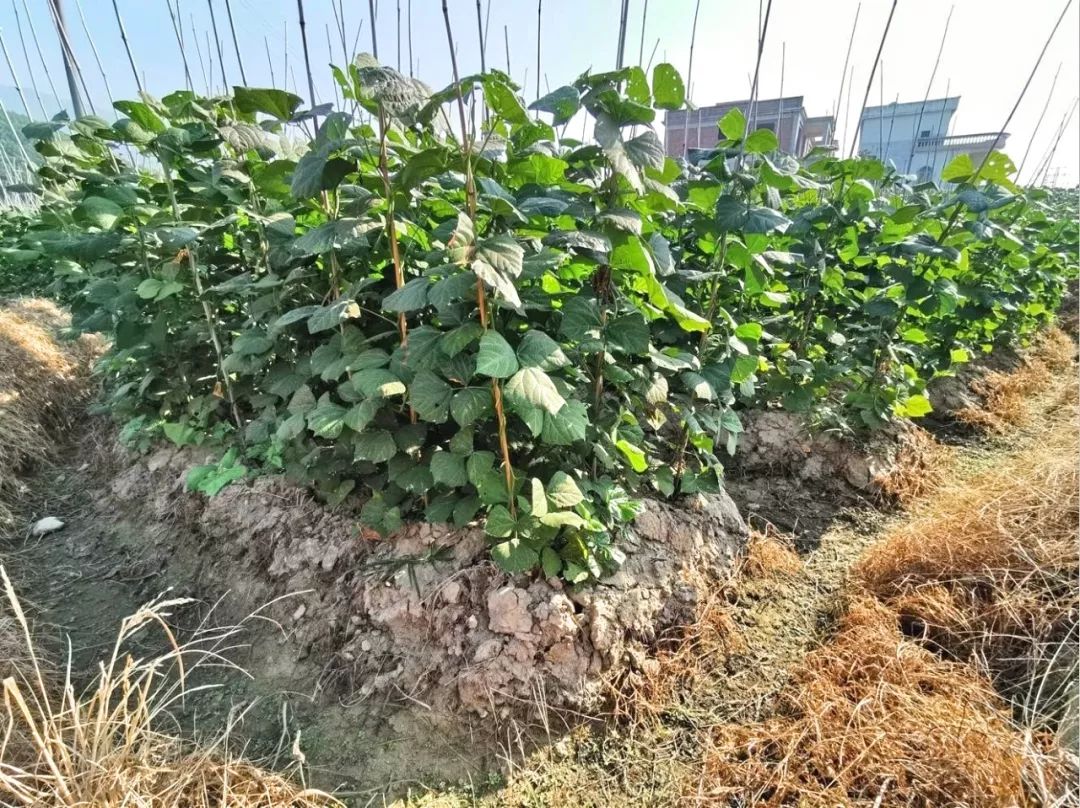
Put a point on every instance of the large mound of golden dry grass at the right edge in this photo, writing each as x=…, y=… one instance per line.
x=987, y=571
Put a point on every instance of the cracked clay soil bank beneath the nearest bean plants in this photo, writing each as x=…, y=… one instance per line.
x=425, y=613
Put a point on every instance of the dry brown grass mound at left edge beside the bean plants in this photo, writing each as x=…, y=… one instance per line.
x=44, y=384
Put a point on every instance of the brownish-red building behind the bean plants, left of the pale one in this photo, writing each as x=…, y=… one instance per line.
x=787, y=118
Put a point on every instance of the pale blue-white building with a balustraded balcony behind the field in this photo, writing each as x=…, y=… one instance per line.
x=914, y=138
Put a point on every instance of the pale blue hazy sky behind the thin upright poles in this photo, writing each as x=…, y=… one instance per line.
x=991, y=48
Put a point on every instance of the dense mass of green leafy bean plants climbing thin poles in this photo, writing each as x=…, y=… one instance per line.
x=443, y=305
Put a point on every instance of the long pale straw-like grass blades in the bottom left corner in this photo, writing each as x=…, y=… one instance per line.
x=103, y=748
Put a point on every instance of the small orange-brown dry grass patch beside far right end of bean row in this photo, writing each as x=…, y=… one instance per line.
x=1006, y=395
